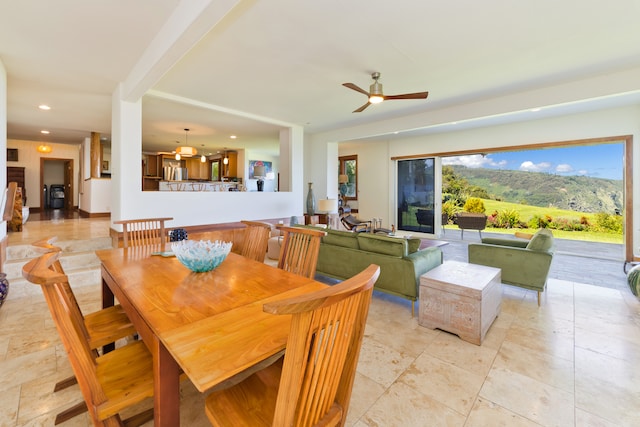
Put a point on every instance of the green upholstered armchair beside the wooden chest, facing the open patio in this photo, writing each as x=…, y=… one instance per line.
x=524, y=263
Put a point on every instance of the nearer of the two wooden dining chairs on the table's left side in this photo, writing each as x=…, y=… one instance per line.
x=110, y=383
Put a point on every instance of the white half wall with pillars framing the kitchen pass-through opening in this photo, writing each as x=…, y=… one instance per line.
x=189, y=208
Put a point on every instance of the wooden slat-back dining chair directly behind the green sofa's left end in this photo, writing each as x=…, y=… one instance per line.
x=299, y=250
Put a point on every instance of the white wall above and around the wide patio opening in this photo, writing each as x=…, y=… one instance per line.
x=374, y=157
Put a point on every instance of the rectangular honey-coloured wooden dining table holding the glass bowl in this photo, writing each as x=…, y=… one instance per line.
x=209, y=326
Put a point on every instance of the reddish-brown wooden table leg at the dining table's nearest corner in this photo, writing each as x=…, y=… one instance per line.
x=166, y=397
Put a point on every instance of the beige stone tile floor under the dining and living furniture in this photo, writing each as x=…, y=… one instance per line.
x=570, y=362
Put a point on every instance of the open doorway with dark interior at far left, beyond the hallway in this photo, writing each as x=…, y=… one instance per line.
x=56, y=173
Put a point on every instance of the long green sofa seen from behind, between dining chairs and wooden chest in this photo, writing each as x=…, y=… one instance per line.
x=344, y=254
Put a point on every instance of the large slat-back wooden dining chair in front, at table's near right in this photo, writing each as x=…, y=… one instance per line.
x=312, y=385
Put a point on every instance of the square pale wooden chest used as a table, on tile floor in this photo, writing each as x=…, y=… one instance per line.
x=460, y=298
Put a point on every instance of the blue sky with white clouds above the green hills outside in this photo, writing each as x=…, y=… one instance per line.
x=598, y=161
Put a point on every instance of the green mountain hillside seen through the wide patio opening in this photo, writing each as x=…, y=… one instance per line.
x=577, y=193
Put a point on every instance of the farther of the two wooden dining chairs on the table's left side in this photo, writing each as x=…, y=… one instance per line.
x=100, y=329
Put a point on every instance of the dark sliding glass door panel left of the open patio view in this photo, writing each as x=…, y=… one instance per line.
x=419, y=195
